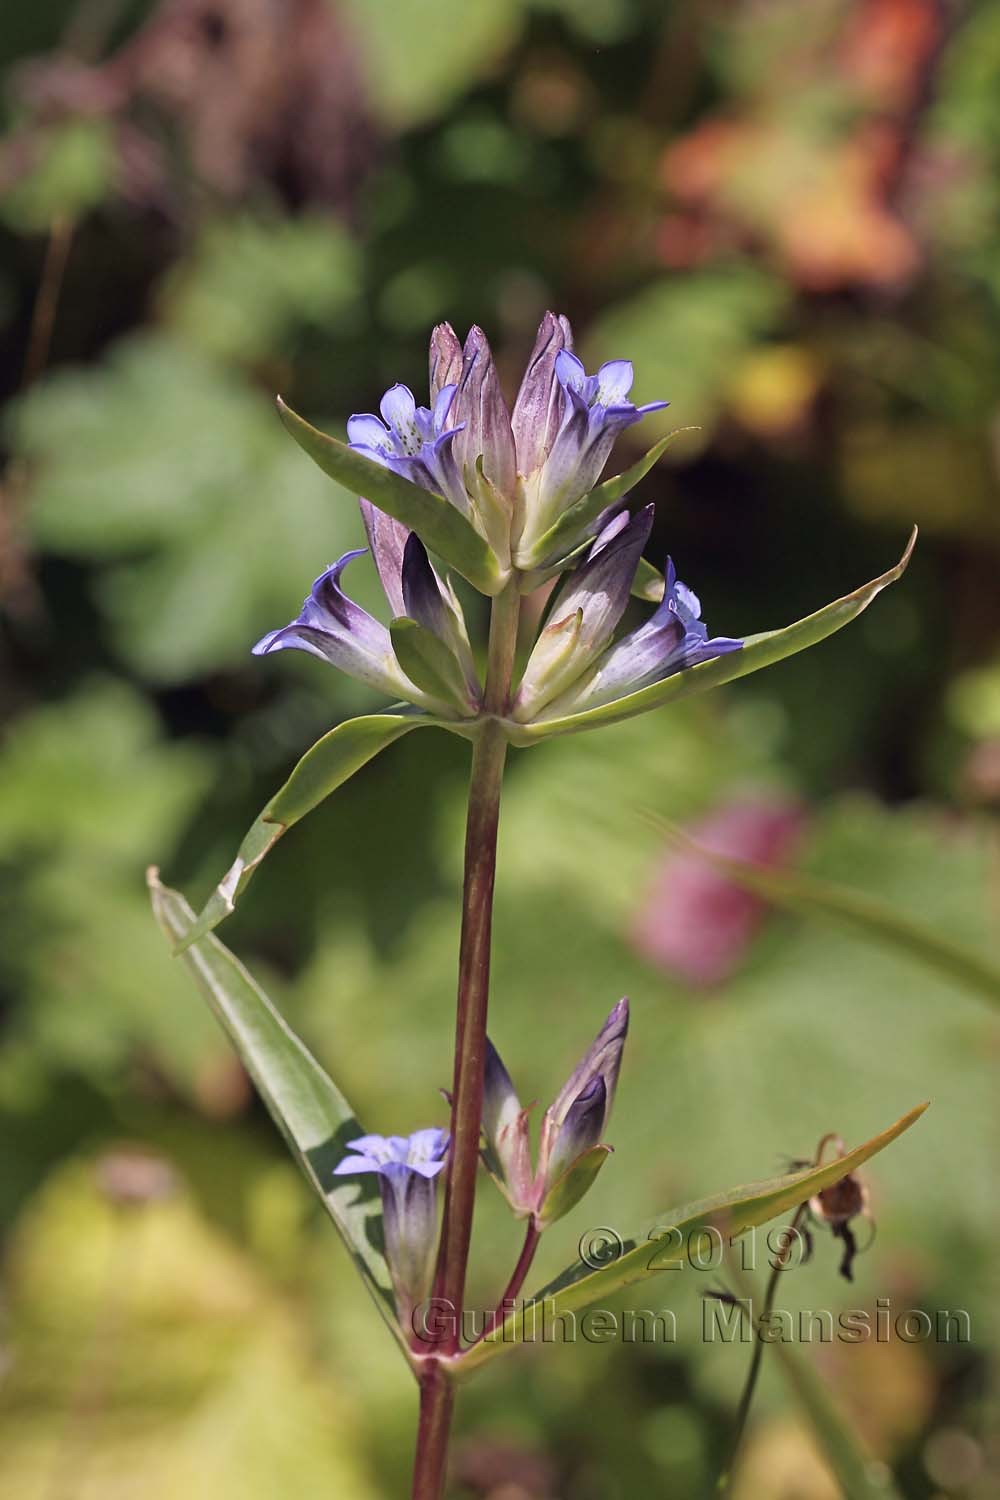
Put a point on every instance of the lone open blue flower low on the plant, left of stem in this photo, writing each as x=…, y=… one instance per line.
x=407, y=1168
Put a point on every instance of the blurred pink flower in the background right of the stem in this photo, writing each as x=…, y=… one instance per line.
x=695, y=922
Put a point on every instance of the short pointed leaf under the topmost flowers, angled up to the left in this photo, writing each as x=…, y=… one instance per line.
x=443, y=529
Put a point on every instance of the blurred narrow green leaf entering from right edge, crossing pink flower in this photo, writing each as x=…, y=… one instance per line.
x=857, y=910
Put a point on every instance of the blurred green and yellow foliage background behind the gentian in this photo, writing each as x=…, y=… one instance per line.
x=788, y=217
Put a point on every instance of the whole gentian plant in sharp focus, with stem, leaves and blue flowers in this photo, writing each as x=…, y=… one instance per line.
x=510, y=500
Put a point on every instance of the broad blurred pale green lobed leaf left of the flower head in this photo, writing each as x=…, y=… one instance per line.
x=169, y=470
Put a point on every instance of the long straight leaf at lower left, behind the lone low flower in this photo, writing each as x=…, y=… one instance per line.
x=305, y=1103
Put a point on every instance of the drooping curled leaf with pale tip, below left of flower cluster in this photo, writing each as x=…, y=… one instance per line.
x=326, y=767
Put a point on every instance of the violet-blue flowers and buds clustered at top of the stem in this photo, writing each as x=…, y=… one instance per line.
x=518, y=479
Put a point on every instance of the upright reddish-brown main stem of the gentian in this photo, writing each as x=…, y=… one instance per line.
x=490, y=755
